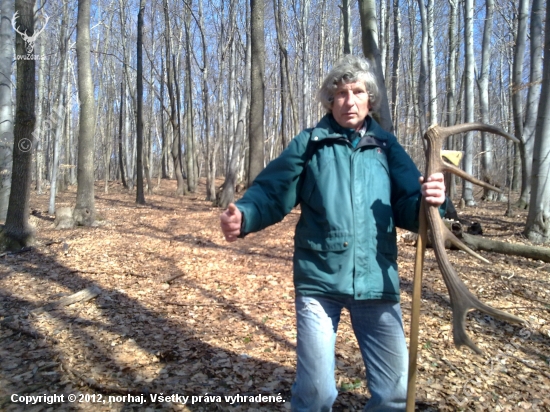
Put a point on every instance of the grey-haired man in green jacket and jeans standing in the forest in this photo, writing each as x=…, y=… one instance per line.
x=355, y=187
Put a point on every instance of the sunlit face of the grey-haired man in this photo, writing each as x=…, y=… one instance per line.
x=351, y=105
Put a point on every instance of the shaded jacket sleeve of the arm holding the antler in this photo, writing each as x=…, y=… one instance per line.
x=406, y=194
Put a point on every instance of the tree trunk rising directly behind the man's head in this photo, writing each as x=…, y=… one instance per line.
x=369, y=29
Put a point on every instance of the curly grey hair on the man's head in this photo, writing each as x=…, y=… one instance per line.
x=350, y=69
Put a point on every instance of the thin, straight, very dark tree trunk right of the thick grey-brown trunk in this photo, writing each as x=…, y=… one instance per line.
x=140, y=194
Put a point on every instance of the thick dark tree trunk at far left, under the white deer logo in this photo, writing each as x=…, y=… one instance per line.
x=17, y=232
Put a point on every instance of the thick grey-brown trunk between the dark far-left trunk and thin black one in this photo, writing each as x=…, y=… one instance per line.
x=84, y=212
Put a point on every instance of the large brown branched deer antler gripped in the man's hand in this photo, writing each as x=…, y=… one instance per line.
x=462, y=300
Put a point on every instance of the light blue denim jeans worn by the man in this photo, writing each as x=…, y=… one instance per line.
x=378, y=328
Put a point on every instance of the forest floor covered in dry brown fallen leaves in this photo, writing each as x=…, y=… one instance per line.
x=226, y=327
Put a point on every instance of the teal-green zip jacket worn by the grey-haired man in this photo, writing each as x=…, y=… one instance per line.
x=351, y=201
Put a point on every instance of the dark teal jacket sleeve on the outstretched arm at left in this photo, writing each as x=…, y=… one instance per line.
x=274, y=192
